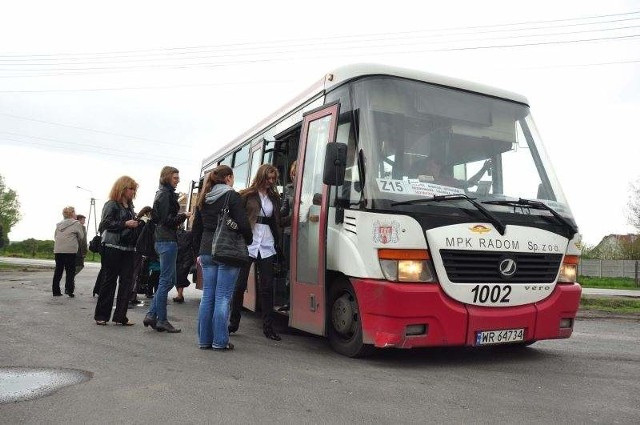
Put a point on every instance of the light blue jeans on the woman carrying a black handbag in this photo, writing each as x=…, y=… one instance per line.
x=218, y=282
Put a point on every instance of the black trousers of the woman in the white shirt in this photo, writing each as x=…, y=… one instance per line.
x=264, y=268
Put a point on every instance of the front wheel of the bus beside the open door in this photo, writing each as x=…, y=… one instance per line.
x=345, y=330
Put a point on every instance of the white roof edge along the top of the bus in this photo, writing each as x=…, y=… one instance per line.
x=346, y=73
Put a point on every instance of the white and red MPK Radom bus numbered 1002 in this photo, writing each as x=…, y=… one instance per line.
x=426, y=213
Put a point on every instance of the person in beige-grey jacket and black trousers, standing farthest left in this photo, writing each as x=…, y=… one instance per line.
x=68, y=237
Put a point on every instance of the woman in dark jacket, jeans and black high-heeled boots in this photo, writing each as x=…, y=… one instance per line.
x=167, y=216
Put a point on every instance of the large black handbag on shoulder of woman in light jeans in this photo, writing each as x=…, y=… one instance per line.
x=228, y=245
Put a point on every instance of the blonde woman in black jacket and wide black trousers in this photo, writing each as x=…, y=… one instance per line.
x=119, y=241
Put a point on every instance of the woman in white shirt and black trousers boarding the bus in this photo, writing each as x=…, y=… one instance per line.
x=262, y=203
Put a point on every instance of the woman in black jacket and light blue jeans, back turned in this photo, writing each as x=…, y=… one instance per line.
x=218, y=277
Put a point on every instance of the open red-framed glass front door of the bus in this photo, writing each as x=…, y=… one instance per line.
x=309, y=222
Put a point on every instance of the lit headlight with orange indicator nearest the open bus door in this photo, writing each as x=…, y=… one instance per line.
x=406, y=265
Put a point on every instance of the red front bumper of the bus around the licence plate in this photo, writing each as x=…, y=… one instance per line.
x=422, y=315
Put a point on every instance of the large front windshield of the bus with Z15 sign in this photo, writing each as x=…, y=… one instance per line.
x=421, y=140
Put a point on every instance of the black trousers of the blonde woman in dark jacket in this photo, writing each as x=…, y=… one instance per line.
x=117, y=266
